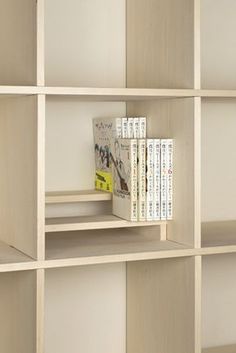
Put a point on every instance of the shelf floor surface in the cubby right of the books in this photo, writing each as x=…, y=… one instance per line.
x=218, y=234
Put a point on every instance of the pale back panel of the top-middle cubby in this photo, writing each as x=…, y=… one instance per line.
x=85, y=43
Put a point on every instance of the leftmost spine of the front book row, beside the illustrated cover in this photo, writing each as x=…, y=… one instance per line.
x=134, y=180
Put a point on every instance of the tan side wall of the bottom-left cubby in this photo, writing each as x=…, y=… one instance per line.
x=17, y=307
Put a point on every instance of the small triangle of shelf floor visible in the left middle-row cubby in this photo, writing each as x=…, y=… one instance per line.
x=9, y=255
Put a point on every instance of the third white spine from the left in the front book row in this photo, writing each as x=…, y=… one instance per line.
x=149, y=180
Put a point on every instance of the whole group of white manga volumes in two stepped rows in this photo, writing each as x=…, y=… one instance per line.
x=138, y=171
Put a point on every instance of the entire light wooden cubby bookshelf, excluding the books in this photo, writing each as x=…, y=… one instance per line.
x=62, y=64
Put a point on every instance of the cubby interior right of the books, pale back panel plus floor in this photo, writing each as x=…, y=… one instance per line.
x=218, y=172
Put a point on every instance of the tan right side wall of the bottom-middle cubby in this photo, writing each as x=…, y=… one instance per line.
x=160, y=306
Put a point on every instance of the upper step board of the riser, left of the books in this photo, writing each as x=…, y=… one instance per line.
x=76, y=196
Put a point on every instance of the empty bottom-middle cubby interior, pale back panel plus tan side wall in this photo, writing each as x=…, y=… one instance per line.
x=94, y=303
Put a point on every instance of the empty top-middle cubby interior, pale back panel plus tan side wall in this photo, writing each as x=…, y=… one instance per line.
x=91, y=43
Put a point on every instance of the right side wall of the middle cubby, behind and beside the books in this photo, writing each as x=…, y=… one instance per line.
x=175, y=118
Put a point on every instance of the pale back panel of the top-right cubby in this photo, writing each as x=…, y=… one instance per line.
x=218, y=43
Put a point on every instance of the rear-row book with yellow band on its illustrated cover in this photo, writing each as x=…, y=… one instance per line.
x=104, y=130
